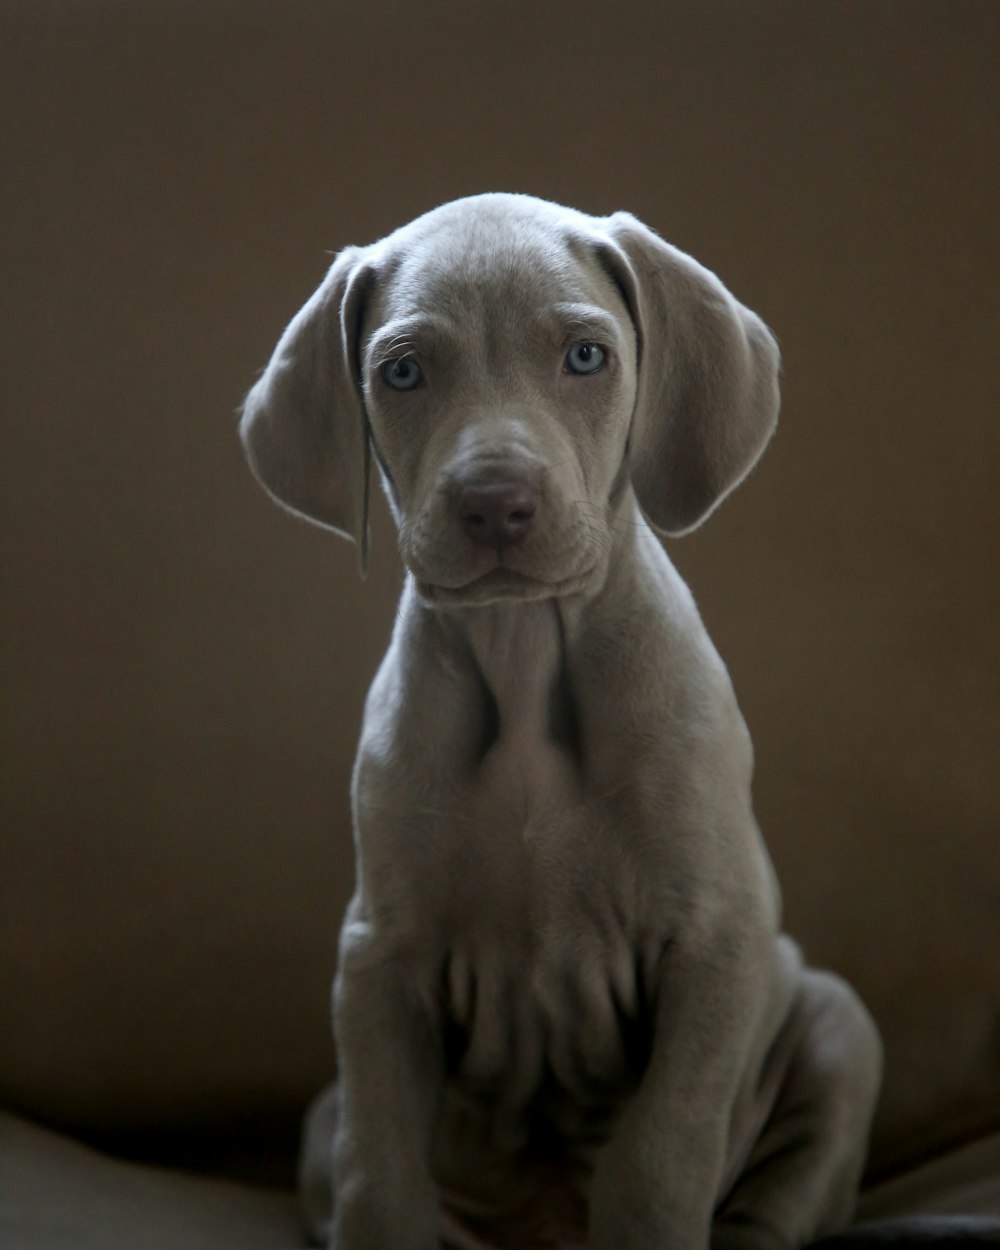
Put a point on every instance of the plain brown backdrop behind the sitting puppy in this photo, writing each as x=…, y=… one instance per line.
x=183, y=667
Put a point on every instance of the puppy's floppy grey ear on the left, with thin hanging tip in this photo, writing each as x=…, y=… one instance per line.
x=304, y=426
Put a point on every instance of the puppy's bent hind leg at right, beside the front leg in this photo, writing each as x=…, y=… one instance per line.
x=801, y=1178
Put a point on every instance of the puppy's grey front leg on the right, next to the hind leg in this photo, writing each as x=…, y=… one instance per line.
x=657, y=1182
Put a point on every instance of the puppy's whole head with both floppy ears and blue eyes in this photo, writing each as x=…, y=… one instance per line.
x=517, y=369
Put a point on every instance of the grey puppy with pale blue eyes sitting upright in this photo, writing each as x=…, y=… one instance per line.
x=564, y=1011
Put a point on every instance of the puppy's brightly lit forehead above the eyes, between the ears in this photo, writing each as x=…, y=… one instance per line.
x=502, y=252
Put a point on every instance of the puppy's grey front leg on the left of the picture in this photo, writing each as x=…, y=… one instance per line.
x=391, y=1078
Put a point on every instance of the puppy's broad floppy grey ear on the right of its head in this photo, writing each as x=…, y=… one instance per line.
x=708, y=397
